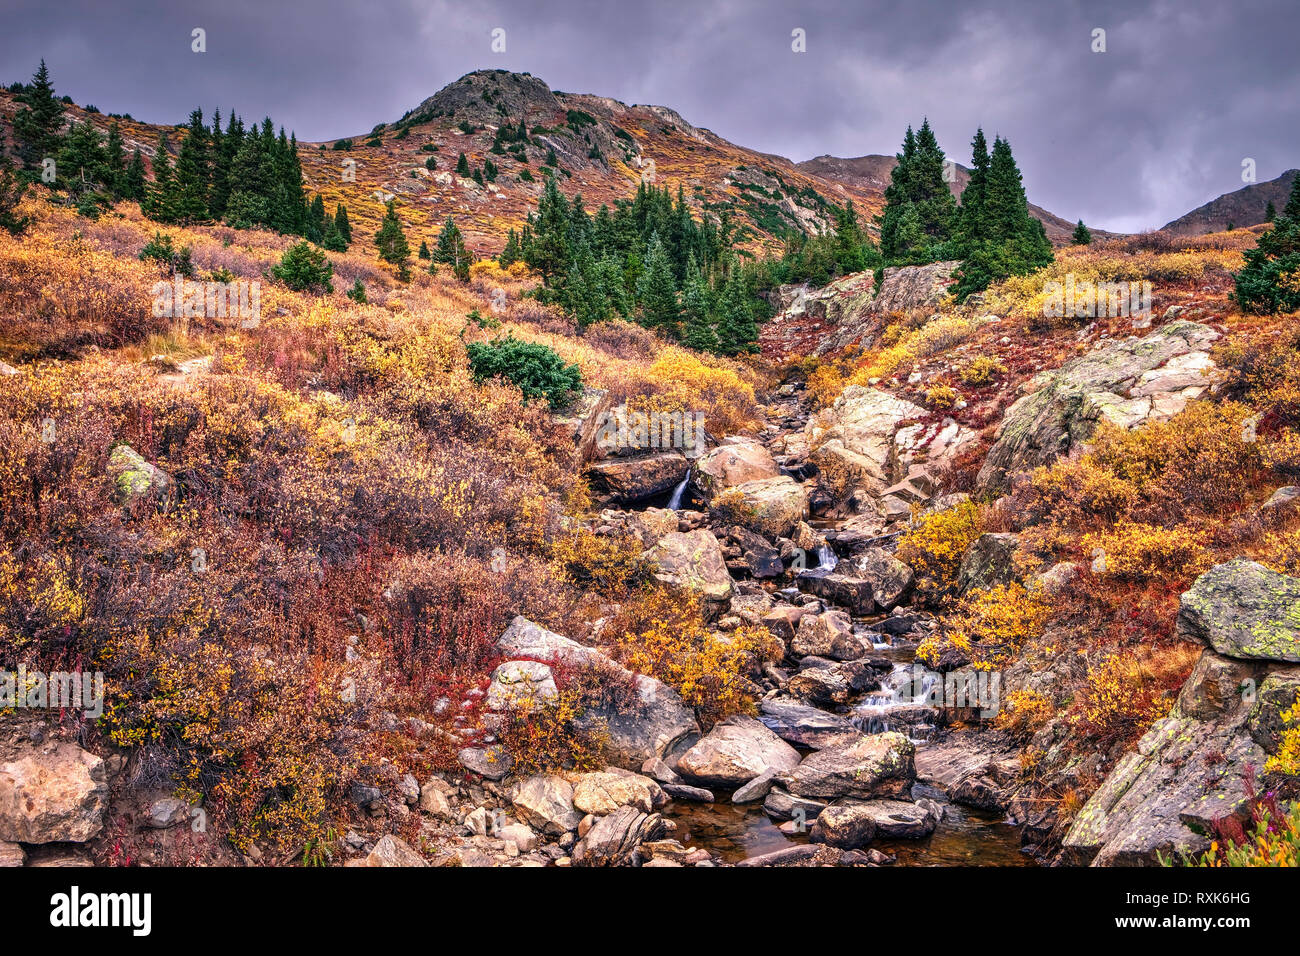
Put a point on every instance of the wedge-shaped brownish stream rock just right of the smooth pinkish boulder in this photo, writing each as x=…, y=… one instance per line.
x=877, y=765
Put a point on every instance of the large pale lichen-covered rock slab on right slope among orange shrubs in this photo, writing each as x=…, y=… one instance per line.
x=1128, y=382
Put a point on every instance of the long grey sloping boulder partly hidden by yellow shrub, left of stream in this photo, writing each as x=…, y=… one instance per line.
x=642, y=725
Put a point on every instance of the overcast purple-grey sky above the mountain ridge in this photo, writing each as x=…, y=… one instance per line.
x=1128, y=139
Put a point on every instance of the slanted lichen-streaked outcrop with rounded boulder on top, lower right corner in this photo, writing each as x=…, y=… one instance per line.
x=1193, y=768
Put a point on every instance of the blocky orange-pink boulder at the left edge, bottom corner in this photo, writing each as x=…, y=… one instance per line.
x=57, y=795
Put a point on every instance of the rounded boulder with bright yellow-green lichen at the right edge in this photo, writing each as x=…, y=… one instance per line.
x=1242, y=609
